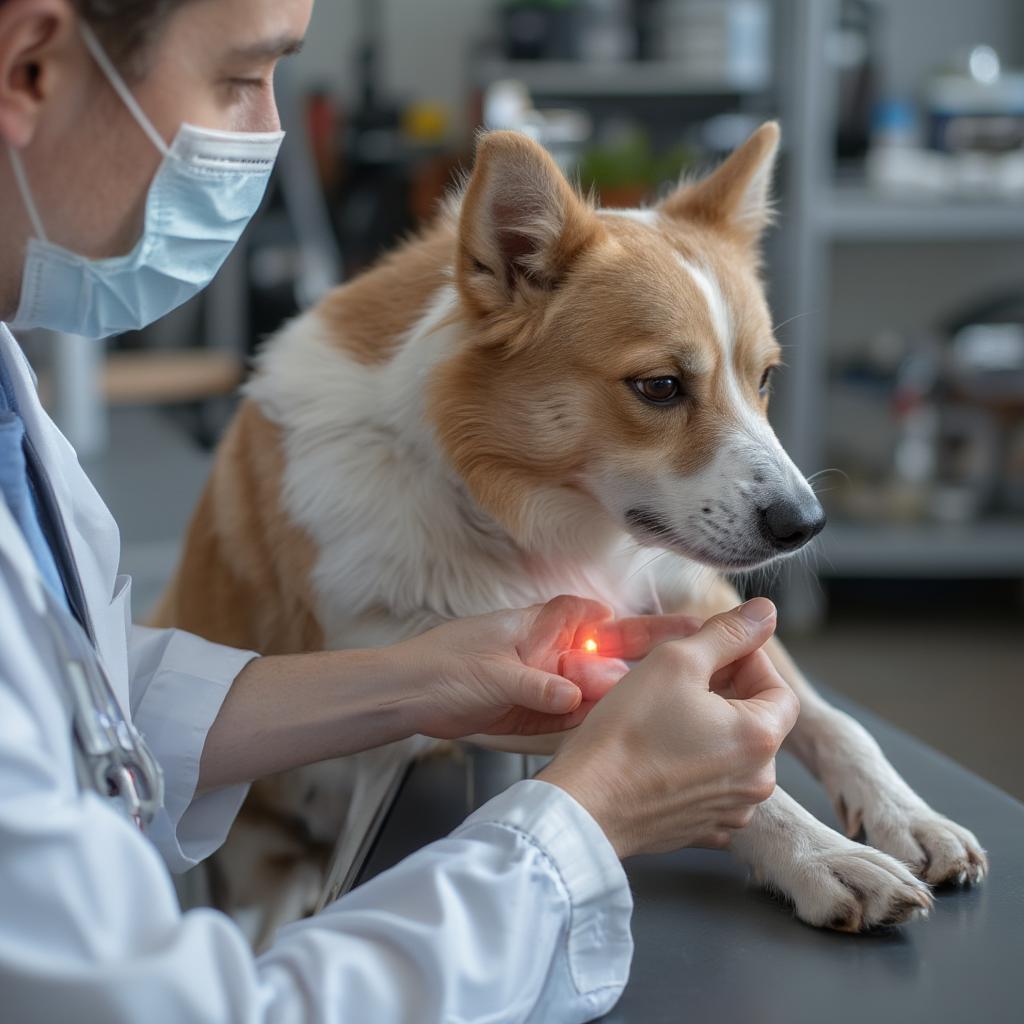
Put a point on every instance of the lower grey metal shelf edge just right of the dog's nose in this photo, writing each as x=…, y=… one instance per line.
x=992, y=548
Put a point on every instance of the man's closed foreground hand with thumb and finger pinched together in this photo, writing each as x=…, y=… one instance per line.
x=682, y=751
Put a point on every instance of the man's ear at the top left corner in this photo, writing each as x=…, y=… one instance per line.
x=31, y=33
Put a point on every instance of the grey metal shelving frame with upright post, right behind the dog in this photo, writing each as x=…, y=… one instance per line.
x=820, y=216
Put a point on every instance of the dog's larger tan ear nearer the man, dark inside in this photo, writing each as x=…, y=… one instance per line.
x=522, y=226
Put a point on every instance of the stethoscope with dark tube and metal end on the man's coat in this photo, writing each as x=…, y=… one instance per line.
x=112, y=755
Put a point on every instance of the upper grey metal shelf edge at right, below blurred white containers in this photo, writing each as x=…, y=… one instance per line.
x=849, y=214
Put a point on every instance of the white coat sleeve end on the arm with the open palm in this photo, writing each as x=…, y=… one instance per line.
x=179, y=684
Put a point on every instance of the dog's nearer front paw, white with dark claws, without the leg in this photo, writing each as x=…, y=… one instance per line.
x=852, y=888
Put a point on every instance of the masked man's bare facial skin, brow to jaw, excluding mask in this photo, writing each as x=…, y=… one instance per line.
x=211, y=65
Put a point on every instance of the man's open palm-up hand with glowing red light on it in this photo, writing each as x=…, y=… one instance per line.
x=524, y=672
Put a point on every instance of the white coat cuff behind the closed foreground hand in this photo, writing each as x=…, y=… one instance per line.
x=601, y=946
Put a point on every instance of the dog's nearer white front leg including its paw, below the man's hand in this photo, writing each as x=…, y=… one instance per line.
x=831, y=881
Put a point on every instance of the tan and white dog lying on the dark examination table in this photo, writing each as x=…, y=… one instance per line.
x=533, y=399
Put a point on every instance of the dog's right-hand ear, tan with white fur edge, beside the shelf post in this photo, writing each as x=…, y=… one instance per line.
x=738, y=196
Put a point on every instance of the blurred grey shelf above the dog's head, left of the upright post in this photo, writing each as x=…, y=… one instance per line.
x=632, y=78
